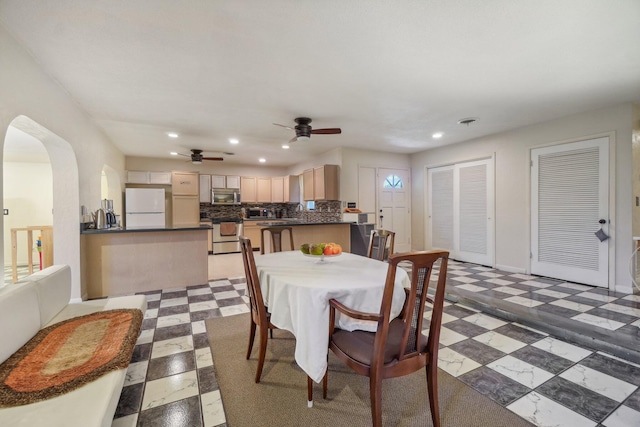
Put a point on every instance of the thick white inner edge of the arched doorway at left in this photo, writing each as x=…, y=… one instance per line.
x=65, y=198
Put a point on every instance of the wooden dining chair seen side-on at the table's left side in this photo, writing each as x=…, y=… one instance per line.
x=260, y=316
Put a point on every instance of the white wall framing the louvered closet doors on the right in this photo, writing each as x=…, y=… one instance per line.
x=512, y=170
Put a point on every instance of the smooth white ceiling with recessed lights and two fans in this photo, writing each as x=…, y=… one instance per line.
x=389, y=73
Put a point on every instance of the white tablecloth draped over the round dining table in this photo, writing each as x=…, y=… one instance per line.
x=297, y=290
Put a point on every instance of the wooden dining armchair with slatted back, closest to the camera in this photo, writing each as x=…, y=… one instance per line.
x=398, y=347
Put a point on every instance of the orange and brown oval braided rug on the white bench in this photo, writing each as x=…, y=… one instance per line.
x=69, y=354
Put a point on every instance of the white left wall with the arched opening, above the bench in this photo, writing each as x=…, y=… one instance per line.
x=71, y=136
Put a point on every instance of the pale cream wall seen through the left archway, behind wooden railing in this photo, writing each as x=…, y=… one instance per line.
x=28, y=194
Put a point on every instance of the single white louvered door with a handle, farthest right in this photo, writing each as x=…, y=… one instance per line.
x=569, y=196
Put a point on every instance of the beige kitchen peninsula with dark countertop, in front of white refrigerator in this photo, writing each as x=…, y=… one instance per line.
x=124, y=261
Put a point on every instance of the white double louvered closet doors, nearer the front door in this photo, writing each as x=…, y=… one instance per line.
x=460, y=210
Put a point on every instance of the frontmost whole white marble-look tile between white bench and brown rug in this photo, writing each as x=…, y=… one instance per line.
x=169, y=389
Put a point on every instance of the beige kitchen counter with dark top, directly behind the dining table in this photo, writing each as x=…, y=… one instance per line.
x=311, y=232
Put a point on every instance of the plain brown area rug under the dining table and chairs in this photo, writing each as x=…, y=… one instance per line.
x=280, y=399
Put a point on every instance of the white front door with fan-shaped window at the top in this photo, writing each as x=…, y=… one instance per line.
x=394, y=206
